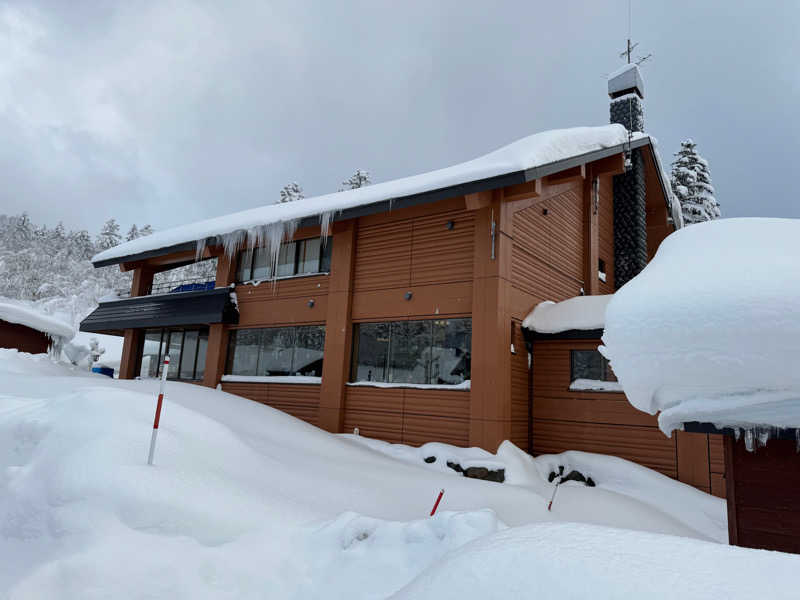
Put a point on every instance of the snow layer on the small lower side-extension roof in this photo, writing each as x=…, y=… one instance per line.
x=581, y=312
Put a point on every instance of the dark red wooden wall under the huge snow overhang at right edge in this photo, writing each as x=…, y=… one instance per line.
x=764, y=495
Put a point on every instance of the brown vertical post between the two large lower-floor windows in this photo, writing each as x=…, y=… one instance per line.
x=338, y=328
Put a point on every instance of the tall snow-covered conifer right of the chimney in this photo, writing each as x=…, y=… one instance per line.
x=691, y=183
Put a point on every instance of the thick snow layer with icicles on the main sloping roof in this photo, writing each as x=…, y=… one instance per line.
x=532, y=152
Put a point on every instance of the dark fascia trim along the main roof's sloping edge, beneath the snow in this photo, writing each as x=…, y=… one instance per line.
x=470, y=187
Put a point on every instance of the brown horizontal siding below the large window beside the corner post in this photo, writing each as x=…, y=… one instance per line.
x=407, y=415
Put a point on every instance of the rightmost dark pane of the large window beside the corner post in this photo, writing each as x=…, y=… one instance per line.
x=450, y=353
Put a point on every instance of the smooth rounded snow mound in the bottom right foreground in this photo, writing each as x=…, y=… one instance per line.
x=561, y=561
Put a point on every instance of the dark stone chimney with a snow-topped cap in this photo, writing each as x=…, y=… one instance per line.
x=626, y=90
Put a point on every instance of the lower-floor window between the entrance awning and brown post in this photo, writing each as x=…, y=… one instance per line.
x=277, y=351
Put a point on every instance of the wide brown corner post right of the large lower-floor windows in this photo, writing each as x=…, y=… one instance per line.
x=490, y=394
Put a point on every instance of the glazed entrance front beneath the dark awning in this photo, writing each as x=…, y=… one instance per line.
x=186, y=348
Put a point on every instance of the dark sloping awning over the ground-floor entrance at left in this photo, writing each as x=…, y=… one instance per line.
x=165, y=310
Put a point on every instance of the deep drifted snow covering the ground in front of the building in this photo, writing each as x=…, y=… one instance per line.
x=245, y=501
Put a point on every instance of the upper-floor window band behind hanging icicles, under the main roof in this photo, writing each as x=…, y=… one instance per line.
x=302, y=257
